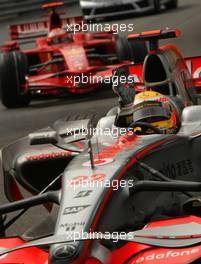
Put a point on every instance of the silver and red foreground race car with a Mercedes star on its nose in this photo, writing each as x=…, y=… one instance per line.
x=123, y=198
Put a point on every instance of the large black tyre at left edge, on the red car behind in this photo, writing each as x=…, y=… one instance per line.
x=13, y=69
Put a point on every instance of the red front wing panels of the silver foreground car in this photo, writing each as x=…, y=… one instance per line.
x=129, y=253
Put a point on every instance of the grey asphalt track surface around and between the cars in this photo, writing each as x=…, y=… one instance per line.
x=17, y=123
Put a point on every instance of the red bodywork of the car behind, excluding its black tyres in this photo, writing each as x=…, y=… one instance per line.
x=63, y=51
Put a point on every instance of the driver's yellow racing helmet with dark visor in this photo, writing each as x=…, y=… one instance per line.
x=157, y=110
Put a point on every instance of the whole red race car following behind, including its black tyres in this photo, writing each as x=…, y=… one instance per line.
x=62, y=61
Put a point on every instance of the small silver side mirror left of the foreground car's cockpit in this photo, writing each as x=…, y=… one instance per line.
x=44, y=137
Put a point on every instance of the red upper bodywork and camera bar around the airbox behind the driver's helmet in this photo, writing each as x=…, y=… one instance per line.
x=184, y=66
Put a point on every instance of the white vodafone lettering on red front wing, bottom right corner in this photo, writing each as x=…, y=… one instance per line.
x=165, y=256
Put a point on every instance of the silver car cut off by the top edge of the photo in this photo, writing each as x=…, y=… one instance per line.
x=93, y=9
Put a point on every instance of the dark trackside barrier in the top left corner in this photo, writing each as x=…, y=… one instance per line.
x=10, y=8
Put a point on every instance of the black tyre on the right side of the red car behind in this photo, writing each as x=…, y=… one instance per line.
x=134, y=50
